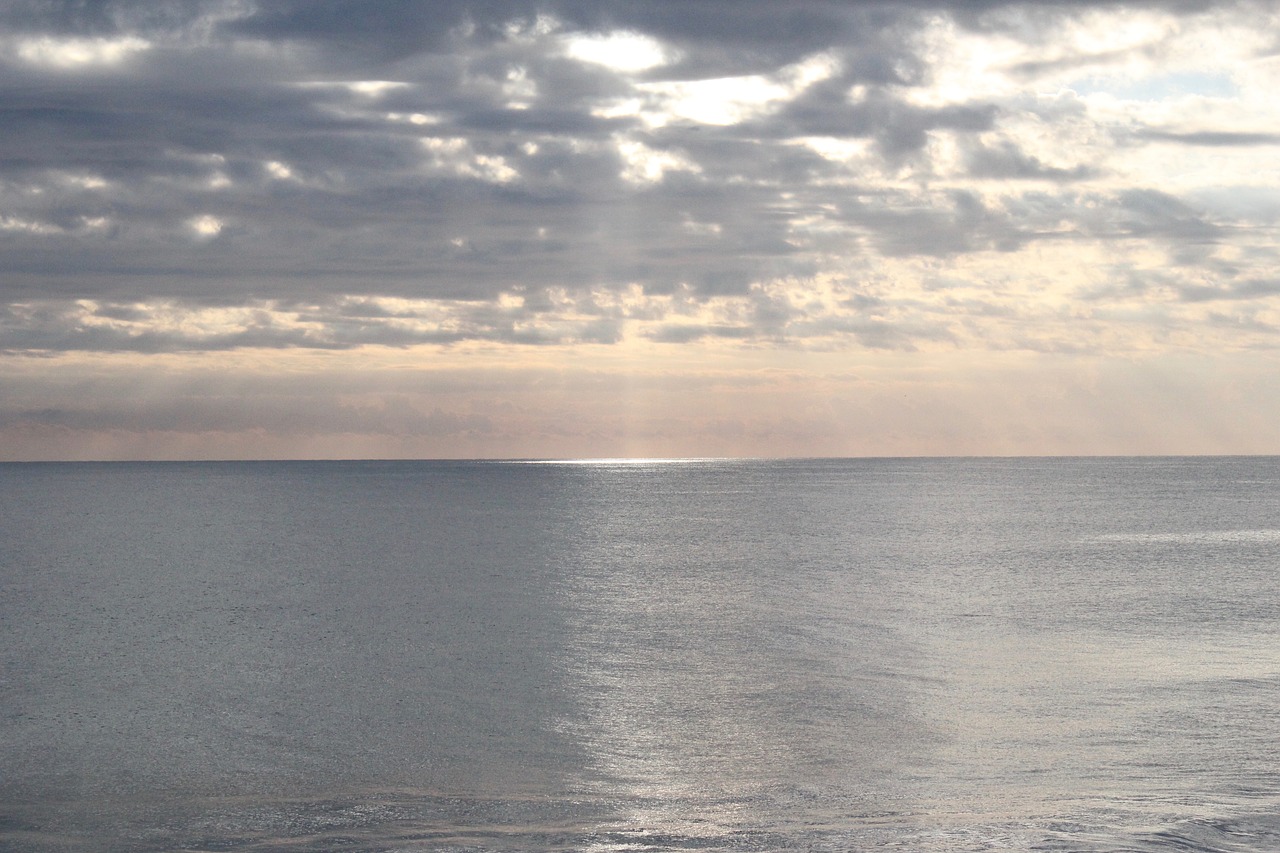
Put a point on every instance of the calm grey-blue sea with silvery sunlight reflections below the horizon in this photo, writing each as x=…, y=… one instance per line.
x=874, y=655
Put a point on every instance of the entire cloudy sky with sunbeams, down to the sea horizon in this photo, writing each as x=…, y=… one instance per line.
x=642, y=229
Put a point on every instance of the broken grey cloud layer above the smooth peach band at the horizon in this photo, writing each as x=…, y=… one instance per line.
x=1089, y=179
